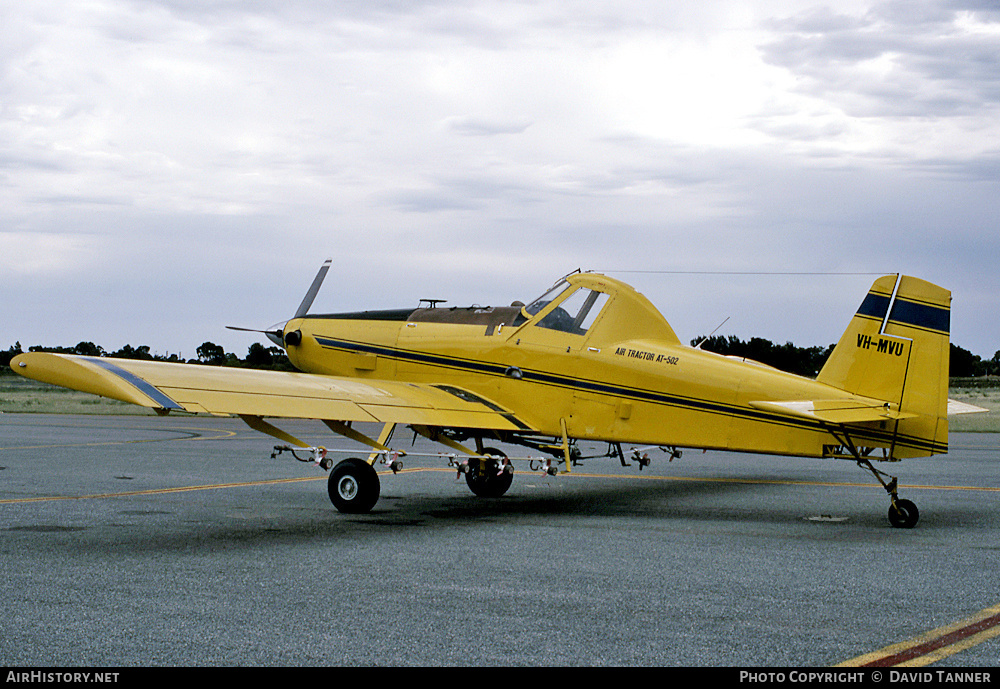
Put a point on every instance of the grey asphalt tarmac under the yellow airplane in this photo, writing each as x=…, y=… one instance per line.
x=145, y=541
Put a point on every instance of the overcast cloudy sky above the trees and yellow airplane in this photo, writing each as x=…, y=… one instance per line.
x=171, y=167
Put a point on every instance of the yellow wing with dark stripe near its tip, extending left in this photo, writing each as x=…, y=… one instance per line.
x=248, y=392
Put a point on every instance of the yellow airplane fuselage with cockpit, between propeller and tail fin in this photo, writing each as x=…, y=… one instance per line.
x=619, y=374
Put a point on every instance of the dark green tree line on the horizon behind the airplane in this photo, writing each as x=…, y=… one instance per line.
x=804, y=361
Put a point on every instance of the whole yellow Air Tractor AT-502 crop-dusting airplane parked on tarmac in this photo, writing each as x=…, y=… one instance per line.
x=591, y=359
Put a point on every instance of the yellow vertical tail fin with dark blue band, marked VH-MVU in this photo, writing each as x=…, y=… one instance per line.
x=896, y=349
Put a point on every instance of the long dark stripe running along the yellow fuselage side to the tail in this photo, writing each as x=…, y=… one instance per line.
x=619, y=391
